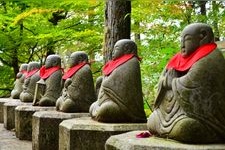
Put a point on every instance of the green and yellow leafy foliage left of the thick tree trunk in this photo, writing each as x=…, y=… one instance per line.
x=31, y=30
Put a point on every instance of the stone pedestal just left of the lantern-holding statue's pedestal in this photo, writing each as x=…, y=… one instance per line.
x=9, y=113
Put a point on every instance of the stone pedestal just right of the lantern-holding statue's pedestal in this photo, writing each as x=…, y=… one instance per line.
x=45, y=128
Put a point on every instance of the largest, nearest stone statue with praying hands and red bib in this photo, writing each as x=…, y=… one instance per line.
x=189, y=106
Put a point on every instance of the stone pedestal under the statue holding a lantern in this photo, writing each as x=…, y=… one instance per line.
x=23, y=120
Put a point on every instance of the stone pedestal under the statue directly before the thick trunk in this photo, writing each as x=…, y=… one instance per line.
x=87, y=134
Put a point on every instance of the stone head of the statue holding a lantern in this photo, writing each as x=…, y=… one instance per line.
x=53, y=61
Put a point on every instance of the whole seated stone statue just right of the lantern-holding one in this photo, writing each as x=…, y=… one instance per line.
x=78, y=92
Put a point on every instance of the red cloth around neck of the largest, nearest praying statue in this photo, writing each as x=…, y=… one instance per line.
x=180, y=63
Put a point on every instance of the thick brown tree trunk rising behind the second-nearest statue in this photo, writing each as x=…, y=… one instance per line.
x=117, y=24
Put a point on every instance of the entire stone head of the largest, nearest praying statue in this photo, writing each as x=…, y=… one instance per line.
x=195, y=35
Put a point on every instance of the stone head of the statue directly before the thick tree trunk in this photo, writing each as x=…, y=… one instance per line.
x=124, y=46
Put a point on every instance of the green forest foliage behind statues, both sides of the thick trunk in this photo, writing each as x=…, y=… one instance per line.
x=30, y=30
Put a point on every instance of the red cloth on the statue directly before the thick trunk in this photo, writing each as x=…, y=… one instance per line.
x=113, y=64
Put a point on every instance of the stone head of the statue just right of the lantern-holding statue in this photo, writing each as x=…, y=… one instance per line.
x=77, y=57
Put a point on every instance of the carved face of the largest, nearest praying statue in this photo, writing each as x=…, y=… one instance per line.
x=189, y=43
